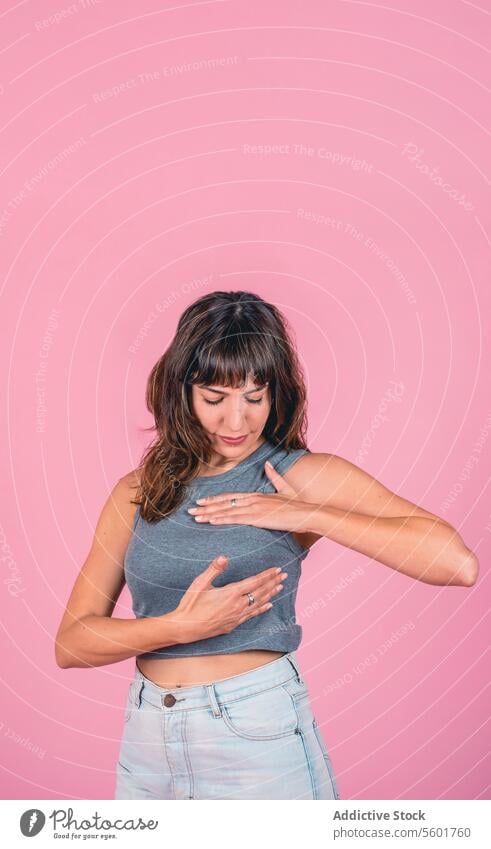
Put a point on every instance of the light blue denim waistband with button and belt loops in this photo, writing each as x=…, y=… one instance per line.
x=225, y=689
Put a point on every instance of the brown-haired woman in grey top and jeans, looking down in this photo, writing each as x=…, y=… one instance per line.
x=209, y=534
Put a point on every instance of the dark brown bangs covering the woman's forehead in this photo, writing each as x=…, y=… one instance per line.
x=231, y=360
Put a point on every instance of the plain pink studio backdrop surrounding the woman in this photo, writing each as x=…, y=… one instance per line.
x=127, y=191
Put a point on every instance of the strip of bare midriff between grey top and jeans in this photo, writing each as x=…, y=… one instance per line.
x=202, y=669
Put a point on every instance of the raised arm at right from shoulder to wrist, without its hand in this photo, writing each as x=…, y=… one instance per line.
x=357, y=511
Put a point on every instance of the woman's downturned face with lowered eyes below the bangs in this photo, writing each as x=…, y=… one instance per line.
x=226, y=412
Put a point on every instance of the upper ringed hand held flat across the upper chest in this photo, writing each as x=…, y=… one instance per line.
x=279, y=511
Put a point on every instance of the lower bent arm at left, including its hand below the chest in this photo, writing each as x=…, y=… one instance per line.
x=89, y=636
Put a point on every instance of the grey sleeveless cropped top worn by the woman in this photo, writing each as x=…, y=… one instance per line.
x=164, y=557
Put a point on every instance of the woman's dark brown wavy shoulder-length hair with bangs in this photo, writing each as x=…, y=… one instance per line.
x=222, y=338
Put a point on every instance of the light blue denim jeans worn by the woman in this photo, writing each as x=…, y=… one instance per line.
x=250, y=736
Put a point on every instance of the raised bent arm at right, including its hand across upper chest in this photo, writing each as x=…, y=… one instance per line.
x=326, y=495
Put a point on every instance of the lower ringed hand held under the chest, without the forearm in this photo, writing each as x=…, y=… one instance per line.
x=206, y=611
